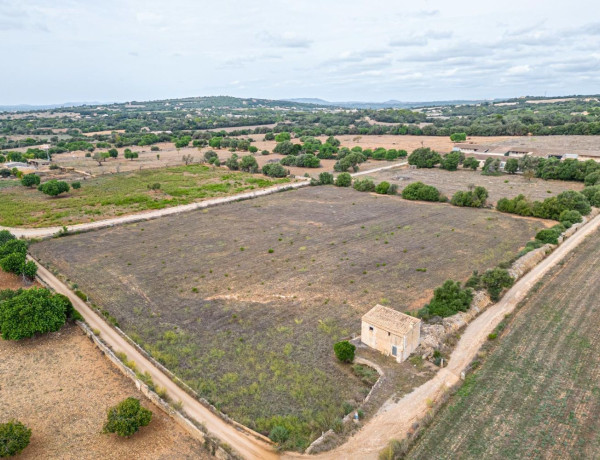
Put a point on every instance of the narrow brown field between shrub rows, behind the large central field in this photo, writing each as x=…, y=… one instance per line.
x=449, y=182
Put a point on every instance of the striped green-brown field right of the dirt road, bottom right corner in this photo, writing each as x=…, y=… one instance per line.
x=537, y=395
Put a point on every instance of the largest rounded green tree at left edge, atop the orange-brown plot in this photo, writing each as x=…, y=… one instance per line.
x=30, y=312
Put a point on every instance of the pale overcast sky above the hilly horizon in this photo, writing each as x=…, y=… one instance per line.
x=55, y=51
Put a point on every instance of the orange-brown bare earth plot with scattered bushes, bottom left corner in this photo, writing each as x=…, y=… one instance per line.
x=60, y=385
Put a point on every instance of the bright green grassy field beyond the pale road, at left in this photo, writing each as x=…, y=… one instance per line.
x=118, y=194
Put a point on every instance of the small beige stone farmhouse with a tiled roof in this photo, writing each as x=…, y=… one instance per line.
x=391, y=332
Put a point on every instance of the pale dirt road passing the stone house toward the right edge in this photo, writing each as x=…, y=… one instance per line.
x=394, y=419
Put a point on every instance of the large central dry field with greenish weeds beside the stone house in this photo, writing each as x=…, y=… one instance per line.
x=244, y=301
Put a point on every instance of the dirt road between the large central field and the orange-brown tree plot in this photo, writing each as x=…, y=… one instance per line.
x=246, y=445
